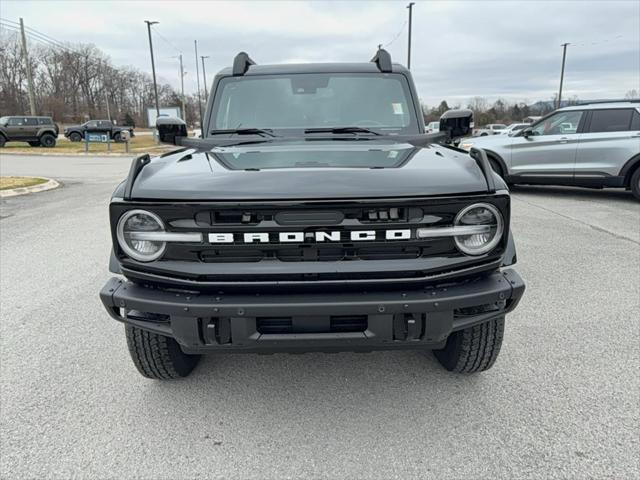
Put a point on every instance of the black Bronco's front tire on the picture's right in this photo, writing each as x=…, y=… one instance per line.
x=473, y=349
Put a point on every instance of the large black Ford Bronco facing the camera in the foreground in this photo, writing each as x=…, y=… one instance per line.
x=315, y=215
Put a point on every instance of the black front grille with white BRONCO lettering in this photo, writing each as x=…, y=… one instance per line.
x=274, y=260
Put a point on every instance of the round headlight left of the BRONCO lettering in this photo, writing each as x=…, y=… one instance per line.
x=133, y=232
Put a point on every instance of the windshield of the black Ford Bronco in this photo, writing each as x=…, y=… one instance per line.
x=379, y=102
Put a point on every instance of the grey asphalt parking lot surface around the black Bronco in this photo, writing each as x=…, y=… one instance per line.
x=563, y=399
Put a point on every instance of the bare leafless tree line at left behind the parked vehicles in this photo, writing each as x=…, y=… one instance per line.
x=75, y=84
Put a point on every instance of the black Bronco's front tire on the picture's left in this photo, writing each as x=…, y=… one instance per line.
x=158, y=357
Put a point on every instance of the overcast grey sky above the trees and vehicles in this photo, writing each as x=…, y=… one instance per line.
x=509, y=49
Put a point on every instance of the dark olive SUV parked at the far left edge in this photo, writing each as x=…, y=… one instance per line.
x=36, y=131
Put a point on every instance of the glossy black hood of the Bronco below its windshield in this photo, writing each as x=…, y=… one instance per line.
x=318, y=170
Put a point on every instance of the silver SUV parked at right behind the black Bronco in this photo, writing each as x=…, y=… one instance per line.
x=590, y=145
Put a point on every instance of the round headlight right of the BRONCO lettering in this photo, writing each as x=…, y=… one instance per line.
x=490, y=227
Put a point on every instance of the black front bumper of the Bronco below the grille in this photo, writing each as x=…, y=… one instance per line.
x=415, y=318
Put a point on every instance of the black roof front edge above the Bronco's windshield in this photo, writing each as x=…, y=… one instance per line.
x=293, y=68
